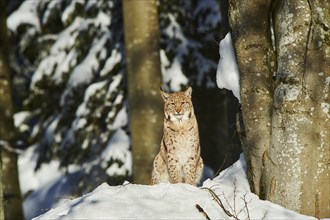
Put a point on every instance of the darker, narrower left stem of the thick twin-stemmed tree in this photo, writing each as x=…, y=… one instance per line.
x=249, y=21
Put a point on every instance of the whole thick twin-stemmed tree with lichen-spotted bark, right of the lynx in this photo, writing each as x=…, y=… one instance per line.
x=293, y=130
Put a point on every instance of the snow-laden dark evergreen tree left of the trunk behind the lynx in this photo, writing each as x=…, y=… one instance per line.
x=77, y=85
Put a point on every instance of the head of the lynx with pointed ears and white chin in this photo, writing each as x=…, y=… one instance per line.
x=178, y=105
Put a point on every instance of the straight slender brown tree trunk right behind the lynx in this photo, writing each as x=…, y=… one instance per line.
x=144, y=79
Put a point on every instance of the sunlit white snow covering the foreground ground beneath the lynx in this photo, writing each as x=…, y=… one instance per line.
x=174, y=201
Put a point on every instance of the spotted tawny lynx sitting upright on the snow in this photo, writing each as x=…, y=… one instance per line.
x=178, y=160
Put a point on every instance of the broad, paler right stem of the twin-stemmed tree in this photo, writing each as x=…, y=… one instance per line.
x=297, y=176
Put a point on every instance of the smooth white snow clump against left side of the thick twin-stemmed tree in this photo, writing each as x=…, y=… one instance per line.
x=227, y=73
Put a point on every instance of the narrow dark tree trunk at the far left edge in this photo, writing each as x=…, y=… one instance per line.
x=10, y=184
